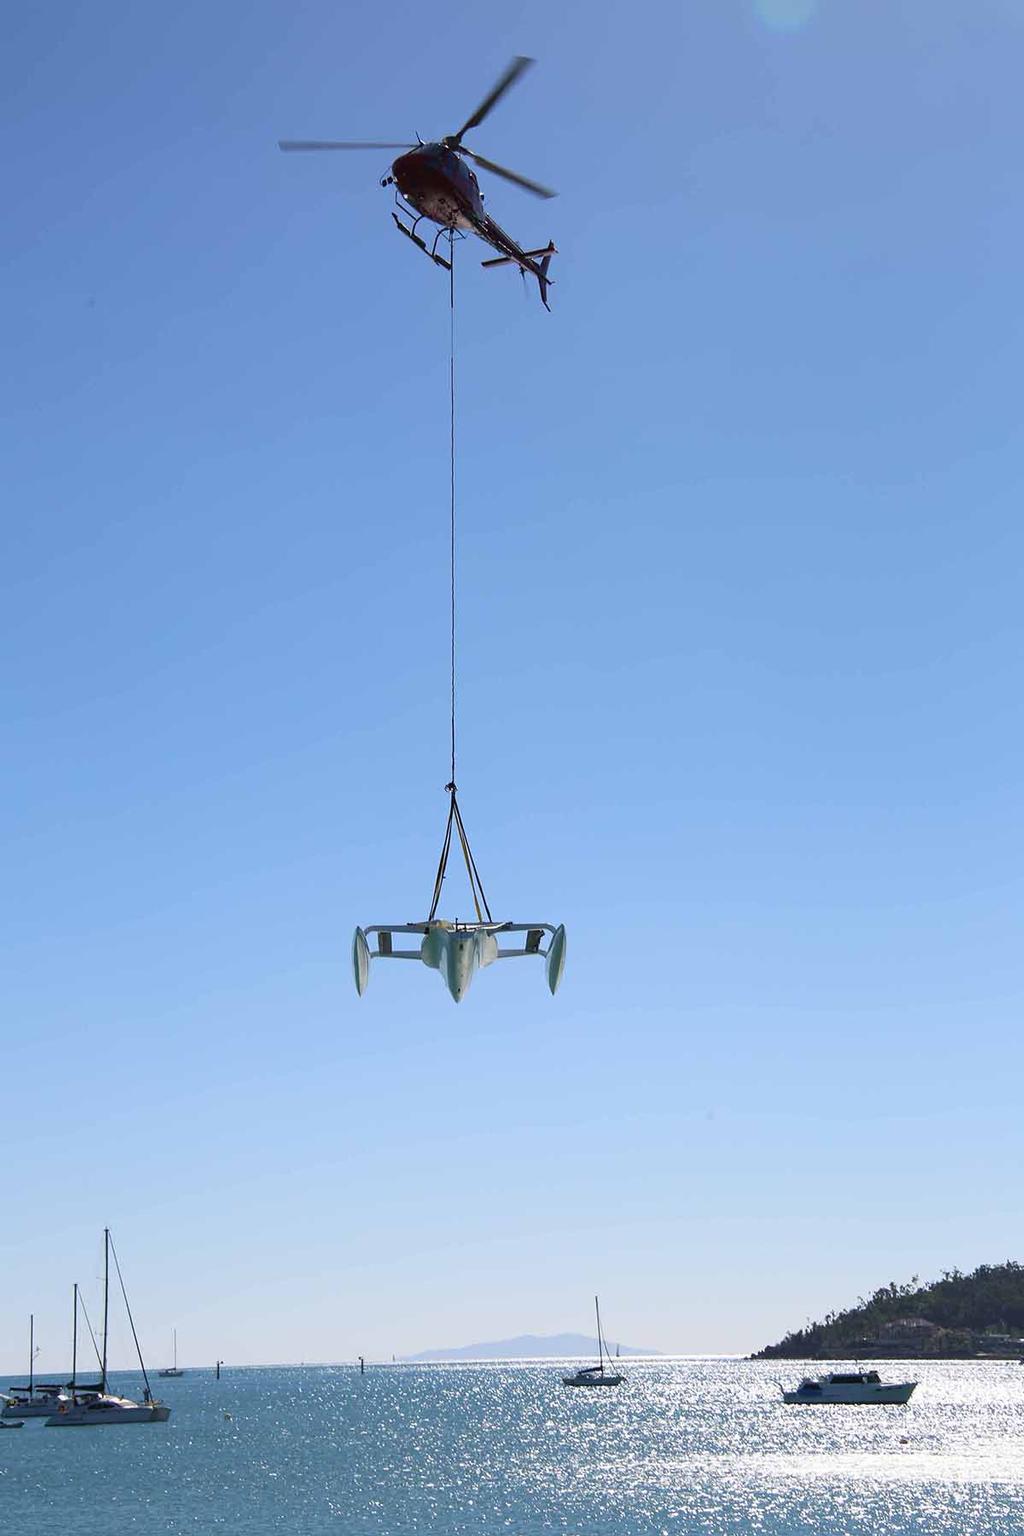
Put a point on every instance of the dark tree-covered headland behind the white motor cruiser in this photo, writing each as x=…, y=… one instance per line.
x=959, y=1317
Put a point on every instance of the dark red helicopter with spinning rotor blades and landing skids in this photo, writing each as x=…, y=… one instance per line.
x=434, y=182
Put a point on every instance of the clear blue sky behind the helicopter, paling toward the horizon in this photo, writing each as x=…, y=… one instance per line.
x=741, y=678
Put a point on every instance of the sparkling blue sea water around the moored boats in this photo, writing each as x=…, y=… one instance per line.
x=699, y=1446
